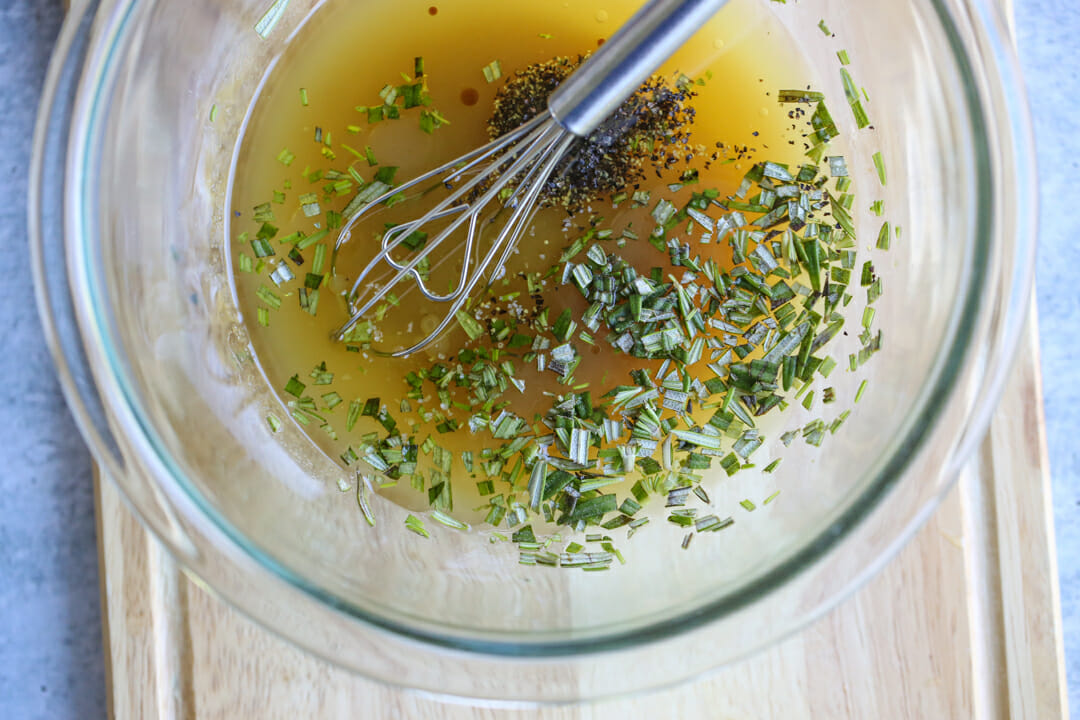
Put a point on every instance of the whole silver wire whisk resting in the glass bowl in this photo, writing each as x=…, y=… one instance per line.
x=526, y=157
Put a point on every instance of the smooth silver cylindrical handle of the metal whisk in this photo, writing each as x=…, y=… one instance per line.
x=624, y=63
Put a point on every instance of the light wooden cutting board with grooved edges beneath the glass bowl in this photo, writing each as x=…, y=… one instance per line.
x=964, y=623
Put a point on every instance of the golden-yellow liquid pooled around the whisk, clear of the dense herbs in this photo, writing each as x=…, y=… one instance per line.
x=314, y=116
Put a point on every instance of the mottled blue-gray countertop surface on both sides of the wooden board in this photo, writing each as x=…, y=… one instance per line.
x=51, y=660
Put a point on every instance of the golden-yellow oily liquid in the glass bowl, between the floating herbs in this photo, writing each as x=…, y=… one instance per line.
x=346, y=53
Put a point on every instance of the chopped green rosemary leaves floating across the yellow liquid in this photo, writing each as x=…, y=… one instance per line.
x=726, y=310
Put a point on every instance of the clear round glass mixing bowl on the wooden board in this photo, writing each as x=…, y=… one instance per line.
x=129, y=246
